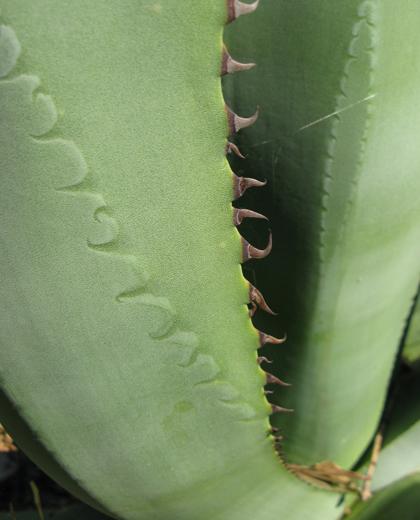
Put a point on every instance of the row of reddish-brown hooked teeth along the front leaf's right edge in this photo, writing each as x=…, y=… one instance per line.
x=240, y=184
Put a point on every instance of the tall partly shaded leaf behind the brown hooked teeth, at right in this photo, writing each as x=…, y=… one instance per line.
x=337, y=139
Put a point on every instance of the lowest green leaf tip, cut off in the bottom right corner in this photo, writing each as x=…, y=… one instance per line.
x=399, y=501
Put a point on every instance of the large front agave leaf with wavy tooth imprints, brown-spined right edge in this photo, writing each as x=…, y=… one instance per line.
x=128, y=360
